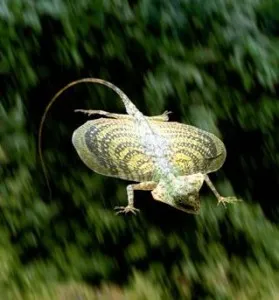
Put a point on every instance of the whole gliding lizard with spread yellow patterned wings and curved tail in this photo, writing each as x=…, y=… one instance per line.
x=170, y=159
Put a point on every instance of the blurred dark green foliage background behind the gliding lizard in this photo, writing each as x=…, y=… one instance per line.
x=215, y=64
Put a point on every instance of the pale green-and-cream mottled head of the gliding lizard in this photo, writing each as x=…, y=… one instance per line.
x=183, y=193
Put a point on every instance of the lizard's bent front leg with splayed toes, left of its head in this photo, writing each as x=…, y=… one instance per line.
x=143, y=186
